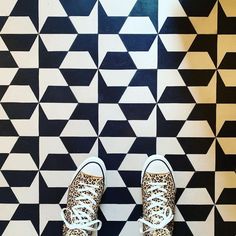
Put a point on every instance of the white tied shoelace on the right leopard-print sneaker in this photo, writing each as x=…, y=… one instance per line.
x=162, y=217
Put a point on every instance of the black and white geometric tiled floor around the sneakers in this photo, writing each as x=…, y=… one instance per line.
x=119, y=79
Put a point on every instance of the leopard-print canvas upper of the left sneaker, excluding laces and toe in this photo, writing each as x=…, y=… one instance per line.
x=73, y=194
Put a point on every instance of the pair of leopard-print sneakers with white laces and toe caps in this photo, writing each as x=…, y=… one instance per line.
x=88, y=185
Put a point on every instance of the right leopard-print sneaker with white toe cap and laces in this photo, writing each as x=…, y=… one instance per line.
x=158, y=193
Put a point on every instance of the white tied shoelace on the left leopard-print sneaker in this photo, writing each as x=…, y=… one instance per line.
x=79, y=218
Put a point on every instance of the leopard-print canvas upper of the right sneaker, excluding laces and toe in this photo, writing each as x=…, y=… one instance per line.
x=169, y=195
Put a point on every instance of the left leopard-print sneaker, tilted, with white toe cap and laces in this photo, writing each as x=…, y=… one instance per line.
x=84, y=196
